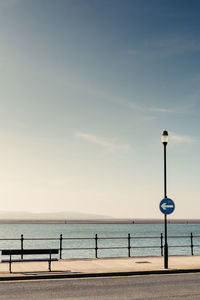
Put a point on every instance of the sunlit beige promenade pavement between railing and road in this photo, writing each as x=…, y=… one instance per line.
x=70, y=268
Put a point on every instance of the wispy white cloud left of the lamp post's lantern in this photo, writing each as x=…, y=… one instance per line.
x=109, y=144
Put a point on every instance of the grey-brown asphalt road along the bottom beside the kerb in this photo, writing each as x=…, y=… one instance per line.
x=179, y=286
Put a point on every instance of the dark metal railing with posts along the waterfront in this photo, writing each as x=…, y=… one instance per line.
x=130, y=243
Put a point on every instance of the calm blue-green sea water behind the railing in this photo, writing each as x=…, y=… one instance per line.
x=104, y=231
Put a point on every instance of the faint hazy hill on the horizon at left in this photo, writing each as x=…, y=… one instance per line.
x=24, y=215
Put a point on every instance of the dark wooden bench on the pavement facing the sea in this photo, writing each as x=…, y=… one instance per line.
x=22, y=252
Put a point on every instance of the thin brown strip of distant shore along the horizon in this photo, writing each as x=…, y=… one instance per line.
x=97, y=221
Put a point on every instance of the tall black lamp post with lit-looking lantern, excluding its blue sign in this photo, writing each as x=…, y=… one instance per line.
x=165, y=141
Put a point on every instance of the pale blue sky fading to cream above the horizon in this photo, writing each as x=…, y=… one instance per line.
x=86, y=88
